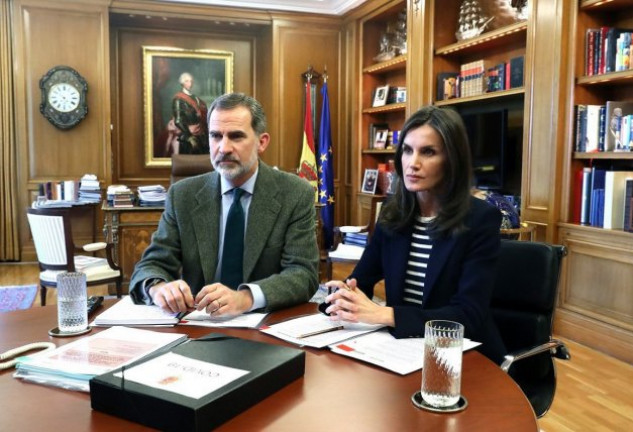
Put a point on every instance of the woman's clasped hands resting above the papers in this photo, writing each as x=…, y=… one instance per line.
x=350, y=304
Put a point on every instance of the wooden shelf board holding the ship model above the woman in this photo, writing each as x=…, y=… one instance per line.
x=500, y=37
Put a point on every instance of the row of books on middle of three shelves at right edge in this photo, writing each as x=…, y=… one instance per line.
x=601, y=128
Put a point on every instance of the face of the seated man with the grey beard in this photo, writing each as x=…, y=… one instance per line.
x=234, y=145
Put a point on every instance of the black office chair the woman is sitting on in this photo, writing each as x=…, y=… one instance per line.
x=523, y=305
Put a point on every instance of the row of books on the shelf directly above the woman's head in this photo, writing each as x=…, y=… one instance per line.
x=476, y=78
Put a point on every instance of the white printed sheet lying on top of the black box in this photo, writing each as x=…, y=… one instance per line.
x=182, y=375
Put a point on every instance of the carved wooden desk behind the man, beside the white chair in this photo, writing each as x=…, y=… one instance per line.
x=130, y=230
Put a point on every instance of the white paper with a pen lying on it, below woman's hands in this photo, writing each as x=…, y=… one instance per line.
x=288, y=330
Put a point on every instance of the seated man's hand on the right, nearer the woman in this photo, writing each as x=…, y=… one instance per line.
x=220, y=300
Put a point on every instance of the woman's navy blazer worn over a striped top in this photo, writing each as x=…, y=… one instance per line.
x=459, y=278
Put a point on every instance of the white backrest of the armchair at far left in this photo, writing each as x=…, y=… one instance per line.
x=52, y=238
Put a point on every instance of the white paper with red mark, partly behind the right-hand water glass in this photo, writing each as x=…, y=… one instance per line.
x=402, y=356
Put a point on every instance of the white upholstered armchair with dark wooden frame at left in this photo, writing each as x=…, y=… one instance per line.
x=56, y=251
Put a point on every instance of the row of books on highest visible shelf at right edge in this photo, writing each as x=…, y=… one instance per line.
x=607, y=49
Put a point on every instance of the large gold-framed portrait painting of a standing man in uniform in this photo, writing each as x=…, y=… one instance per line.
x=178, y=87
